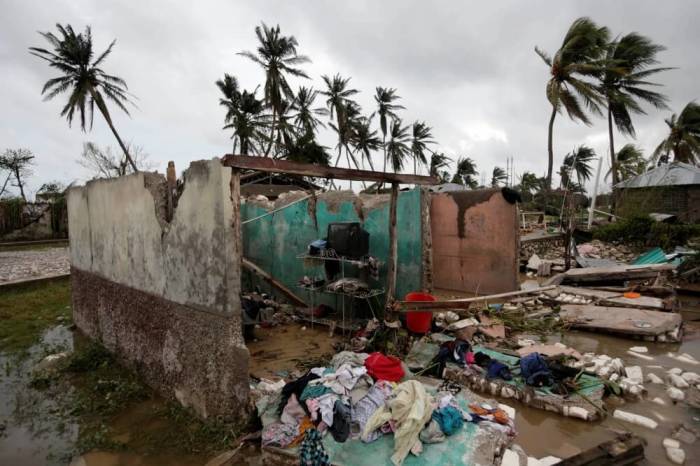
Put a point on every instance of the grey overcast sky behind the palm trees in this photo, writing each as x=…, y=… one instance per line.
x=467, y=68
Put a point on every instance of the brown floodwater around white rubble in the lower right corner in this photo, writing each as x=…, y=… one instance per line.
x=541, y=433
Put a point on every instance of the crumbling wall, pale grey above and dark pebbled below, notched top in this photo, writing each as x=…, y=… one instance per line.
x=164, y=297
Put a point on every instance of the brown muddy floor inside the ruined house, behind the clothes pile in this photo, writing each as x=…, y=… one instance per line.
x=276, y=351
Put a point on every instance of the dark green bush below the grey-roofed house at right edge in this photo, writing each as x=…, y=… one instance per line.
x=641, y=230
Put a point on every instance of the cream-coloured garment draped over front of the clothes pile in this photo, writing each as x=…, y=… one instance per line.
x=410, y=408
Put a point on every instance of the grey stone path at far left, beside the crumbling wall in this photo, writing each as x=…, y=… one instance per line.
x=32, y=264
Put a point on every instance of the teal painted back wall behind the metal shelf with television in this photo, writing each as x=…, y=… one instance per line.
x=274, y=242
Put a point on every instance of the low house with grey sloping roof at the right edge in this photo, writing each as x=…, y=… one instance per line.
x=672, y=188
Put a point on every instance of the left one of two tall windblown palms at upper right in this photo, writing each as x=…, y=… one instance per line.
x=580, y=55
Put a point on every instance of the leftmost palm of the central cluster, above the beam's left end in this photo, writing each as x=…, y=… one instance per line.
x=247, y=119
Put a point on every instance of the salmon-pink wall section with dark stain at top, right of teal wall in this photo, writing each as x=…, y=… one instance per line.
x=475, y=241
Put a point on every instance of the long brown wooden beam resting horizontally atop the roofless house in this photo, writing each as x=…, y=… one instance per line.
x=271, y=165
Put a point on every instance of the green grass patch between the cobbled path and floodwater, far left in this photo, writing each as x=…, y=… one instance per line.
x=26, y=311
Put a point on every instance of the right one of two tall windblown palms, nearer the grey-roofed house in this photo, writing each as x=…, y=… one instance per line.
x=624, y=85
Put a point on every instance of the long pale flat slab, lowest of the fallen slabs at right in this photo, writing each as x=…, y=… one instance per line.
x=621, y=320
